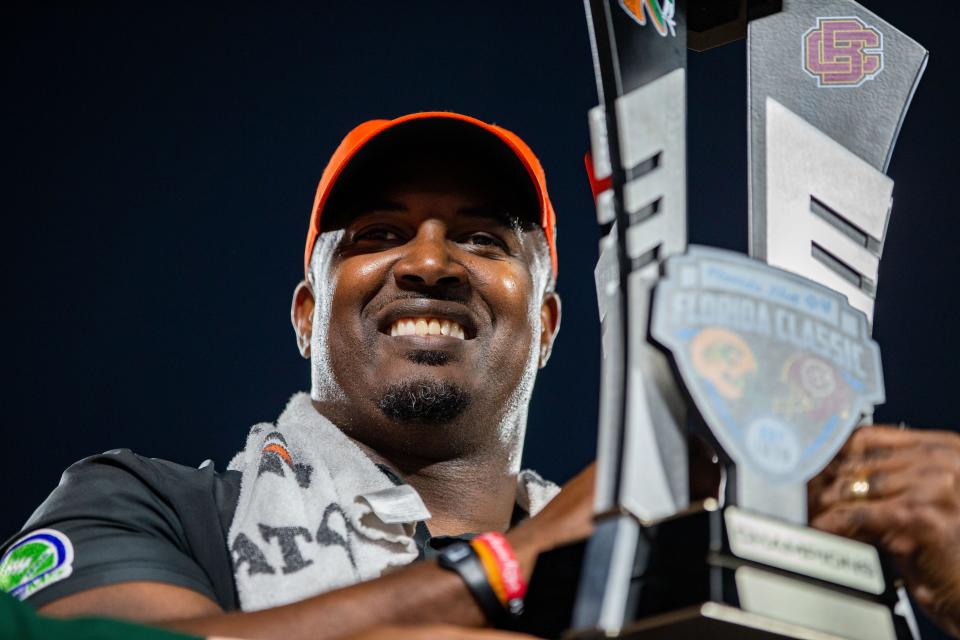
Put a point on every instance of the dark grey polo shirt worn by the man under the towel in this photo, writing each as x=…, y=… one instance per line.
x=130, y=518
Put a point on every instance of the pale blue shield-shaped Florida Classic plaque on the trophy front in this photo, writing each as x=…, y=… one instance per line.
x=779, y=367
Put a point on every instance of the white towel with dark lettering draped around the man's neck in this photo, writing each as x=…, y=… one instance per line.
x=316, y=514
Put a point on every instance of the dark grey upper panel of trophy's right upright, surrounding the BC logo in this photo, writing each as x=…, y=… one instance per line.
x=865, y=116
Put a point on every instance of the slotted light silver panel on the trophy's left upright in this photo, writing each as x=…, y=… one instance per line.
x=652, y=121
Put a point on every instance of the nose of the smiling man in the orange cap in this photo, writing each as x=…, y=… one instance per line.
x=427, y=261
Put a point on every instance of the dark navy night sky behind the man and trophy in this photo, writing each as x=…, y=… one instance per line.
x=161, y=162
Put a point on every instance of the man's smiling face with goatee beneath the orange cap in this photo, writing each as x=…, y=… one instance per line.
x=432, y=310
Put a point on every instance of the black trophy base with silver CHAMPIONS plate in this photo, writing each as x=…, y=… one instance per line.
x=715, y=573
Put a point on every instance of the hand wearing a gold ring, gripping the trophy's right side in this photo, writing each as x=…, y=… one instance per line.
x=900, y=490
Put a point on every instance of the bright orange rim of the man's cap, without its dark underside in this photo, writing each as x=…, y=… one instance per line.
x=360, y=136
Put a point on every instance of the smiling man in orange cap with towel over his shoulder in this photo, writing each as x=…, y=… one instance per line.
x=427, y=307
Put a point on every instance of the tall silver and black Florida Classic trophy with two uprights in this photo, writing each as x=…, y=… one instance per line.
x=767, y=357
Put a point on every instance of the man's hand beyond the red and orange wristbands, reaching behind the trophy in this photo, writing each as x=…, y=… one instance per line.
x=567, y=518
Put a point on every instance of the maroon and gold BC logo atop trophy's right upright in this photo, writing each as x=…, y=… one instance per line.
x=842, y=52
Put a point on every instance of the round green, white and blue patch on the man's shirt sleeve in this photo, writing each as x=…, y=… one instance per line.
x=36, y=561
